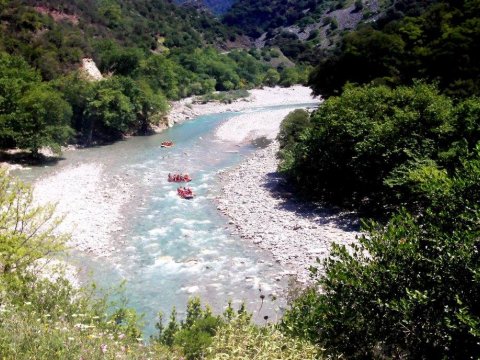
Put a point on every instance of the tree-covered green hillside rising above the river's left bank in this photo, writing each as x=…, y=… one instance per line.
x=149, y=53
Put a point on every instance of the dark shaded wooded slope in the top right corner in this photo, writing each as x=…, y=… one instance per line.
x=440, y=44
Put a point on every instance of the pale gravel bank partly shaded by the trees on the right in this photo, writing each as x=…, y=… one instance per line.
x=262, y=210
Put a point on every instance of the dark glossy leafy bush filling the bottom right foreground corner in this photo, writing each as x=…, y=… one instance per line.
x=408, y=289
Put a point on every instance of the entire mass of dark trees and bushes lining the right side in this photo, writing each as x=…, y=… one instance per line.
x=397, y=140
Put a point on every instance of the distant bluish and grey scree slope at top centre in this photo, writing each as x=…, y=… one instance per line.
x=305, y=29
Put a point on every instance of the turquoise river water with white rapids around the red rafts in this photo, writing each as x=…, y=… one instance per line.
x=172, y=249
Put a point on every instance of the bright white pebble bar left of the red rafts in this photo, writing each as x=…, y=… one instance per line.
x=90, y=204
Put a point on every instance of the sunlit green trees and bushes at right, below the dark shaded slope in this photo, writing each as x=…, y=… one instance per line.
x=409, y=287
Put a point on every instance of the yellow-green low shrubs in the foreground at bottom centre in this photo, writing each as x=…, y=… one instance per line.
x=203, y=335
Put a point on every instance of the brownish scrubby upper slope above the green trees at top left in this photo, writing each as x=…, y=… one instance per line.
x=55, y=35
